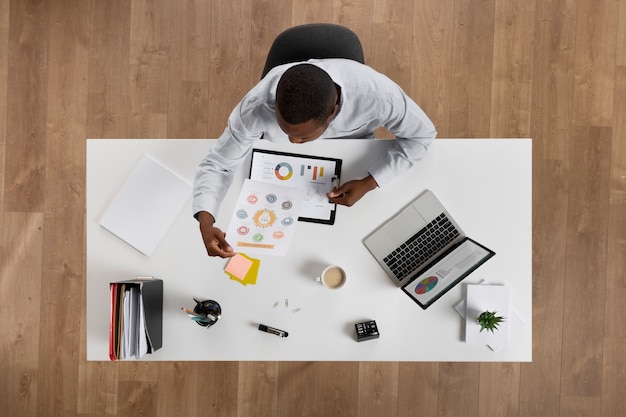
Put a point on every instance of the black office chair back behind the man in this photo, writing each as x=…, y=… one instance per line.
x=315, y=40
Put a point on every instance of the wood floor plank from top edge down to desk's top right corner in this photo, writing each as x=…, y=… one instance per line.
x=512, y=68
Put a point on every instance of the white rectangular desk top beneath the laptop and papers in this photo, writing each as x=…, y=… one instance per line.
x=485, y=184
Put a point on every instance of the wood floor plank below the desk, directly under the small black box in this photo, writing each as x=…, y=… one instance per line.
x=378, y=389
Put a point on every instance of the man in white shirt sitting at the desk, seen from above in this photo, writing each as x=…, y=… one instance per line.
x=301, y=102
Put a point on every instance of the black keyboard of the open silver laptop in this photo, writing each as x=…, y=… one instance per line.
x=420, y=247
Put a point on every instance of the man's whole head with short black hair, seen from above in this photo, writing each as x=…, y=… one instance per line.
x=306, y=101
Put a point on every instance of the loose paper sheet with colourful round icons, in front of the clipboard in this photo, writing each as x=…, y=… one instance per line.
x=264, y=219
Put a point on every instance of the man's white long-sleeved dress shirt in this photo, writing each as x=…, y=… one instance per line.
x=368, y=100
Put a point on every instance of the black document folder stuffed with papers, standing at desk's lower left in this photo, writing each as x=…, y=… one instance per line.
x=136, y=326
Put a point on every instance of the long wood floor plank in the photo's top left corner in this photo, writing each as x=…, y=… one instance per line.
x=26, y=106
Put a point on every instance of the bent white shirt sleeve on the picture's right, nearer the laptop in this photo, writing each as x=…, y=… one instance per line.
x=414, y=133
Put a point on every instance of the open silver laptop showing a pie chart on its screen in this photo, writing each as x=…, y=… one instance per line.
x=424, y=250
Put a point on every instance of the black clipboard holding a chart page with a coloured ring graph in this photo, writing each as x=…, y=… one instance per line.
x=316, y=172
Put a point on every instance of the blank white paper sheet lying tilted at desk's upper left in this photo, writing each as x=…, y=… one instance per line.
x=146, y=205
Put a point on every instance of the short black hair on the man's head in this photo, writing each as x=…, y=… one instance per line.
x=305, y=92
